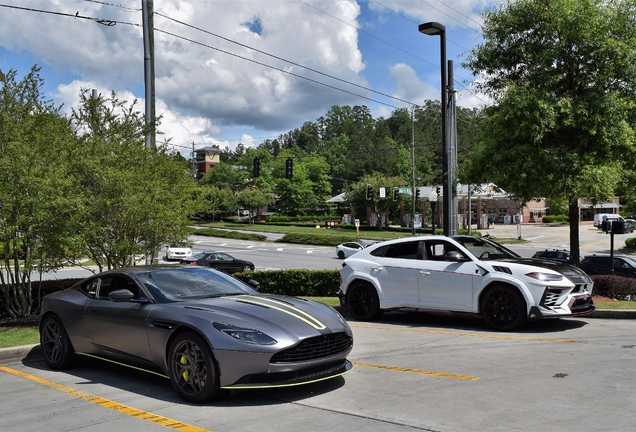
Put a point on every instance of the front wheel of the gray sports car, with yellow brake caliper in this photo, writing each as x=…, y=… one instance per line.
x=193, y=371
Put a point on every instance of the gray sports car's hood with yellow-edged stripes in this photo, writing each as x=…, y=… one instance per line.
x=272, y=314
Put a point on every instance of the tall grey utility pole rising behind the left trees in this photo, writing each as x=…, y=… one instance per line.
x=147, y=11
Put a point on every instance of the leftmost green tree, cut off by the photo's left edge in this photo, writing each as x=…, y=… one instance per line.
x=36, y=189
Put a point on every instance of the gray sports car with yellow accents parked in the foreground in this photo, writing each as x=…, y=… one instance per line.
x=204, y=329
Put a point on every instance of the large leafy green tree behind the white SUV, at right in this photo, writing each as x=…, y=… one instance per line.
x=562, y=74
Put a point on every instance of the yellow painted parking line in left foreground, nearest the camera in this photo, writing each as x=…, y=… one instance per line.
x=115, y=406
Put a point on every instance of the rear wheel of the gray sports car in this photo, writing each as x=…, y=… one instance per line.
x=56, y=347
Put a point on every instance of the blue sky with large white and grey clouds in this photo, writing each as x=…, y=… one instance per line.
x=243, y=71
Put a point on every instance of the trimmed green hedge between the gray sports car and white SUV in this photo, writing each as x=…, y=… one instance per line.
x=314, y=283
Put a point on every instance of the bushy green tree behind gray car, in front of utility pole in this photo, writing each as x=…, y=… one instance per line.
x=134, y=199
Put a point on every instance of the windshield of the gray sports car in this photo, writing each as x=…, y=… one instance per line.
x=179, y=284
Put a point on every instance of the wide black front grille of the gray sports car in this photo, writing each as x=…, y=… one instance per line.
x=314, y=348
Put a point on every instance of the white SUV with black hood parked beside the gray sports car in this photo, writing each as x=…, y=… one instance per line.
x=461, y=274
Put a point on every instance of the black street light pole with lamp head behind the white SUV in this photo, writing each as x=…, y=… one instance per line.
x=437, y=29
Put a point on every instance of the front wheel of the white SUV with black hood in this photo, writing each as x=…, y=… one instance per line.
x=503, y=308
